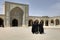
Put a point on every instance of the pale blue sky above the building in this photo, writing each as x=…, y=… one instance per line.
x=38, y=7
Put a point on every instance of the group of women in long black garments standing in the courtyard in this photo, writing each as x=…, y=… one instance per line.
x=37, y=27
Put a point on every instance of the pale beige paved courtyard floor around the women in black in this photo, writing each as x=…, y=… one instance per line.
x=24, y=33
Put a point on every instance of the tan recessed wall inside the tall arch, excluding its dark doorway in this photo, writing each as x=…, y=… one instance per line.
x=18, y=14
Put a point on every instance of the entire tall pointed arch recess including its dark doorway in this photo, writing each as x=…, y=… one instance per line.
x=16, y=12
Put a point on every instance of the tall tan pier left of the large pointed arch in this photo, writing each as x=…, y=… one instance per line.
x=7, y=13
